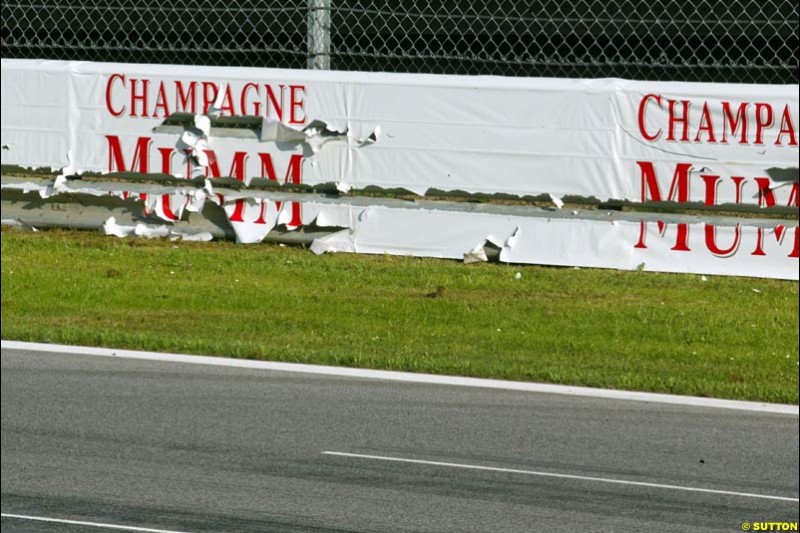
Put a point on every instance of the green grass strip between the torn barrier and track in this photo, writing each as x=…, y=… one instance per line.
x=602, y=328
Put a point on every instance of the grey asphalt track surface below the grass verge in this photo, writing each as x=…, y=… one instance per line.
x=193, y=448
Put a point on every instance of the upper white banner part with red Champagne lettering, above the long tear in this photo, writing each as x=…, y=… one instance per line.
x=607, y=139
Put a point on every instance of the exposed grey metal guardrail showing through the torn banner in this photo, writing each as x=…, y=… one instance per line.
x=83, y=208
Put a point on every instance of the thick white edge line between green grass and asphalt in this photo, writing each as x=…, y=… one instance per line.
x=410, y=377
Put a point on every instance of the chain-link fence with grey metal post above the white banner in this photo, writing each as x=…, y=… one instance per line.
x=750, y=41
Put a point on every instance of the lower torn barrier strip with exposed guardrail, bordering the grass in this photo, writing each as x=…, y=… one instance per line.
x=470, y=232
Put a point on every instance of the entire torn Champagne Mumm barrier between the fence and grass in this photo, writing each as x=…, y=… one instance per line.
x=209, y=138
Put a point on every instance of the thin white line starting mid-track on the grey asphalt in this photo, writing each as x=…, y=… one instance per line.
x=561, y=476
